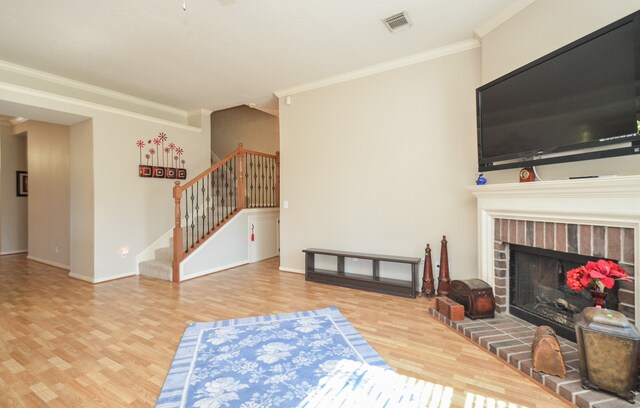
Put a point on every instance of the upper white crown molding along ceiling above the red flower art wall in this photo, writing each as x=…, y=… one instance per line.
x=59, y=80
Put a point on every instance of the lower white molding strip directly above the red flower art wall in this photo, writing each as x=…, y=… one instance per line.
x=91, y=105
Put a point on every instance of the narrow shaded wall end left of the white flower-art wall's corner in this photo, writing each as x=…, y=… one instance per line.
x=82, y=204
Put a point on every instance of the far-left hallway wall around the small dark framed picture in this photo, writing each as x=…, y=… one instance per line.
x=13, y=209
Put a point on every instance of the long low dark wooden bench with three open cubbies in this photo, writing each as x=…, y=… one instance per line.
x=373, y=282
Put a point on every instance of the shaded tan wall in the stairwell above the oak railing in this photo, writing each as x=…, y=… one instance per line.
x=256, y=130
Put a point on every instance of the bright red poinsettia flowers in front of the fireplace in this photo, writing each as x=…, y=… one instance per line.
x=598, y=276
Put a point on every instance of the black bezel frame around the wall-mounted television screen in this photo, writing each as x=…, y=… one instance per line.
x=527, y=158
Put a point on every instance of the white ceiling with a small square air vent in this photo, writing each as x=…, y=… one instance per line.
x=223, y=53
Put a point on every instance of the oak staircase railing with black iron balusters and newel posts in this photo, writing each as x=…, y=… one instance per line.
x=243, y=179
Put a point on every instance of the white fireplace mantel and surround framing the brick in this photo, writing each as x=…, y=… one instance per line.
x=605, y=201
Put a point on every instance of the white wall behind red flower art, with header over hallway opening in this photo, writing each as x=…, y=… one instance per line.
x=128, y=211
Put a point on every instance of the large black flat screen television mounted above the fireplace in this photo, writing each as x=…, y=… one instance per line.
x=580, y=102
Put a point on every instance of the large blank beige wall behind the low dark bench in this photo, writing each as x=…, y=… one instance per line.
x=380, y=164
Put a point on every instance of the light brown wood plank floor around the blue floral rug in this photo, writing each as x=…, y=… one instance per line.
x=67, y=343
